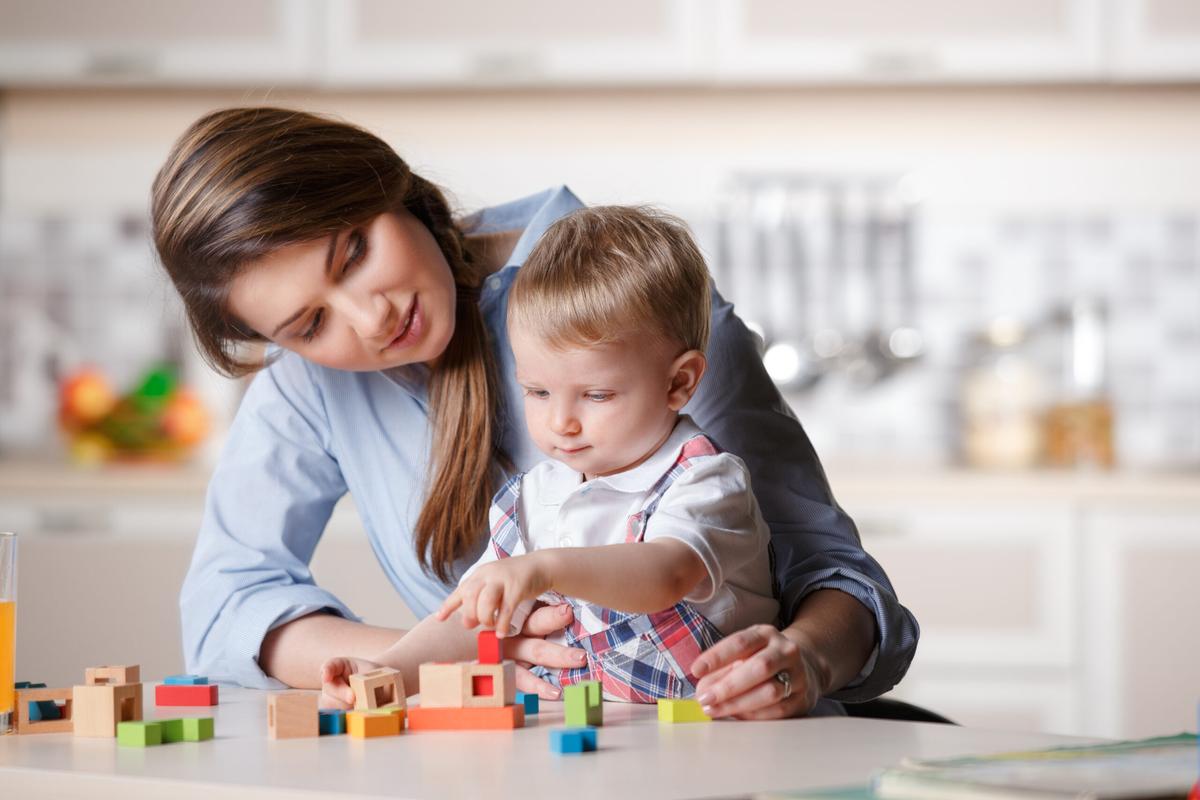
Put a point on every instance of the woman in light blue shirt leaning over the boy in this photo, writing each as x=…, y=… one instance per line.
x=389, y=376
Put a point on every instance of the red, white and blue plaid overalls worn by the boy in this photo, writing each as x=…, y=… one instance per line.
x=637, y=658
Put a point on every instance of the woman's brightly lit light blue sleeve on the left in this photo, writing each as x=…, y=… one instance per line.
x=268, y=503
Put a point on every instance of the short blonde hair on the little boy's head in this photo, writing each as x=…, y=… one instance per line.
x=604, y=274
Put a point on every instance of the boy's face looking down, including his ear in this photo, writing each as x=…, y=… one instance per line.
x=603, y=410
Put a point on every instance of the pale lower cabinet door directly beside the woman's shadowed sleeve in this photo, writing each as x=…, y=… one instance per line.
x=991, y=586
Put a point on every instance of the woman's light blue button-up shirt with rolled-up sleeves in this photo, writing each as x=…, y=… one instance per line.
x=307, y=435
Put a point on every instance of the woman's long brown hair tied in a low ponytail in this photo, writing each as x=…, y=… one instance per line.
x=243, y=183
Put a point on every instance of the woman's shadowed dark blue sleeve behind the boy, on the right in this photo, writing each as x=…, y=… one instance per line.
x=817, y=544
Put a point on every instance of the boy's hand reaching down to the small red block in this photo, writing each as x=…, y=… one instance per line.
x=493, y=593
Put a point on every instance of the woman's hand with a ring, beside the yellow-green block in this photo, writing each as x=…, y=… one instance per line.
x=739, y=676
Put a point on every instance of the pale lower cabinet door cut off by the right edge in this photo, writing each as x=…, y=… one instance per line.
x=1142, y=629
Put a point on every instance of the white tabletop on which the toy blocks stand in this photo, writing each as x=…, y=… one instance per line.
x=638, y=759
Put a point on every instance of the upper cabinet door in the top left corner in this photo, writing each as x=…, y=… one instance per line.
x=205, y=43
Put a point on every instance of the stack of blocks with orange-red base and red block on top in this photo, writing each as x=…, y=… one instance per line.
x=470, y=695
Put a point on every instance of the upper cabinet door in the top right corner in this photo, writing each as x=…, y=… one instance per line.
x=1156, y=40
